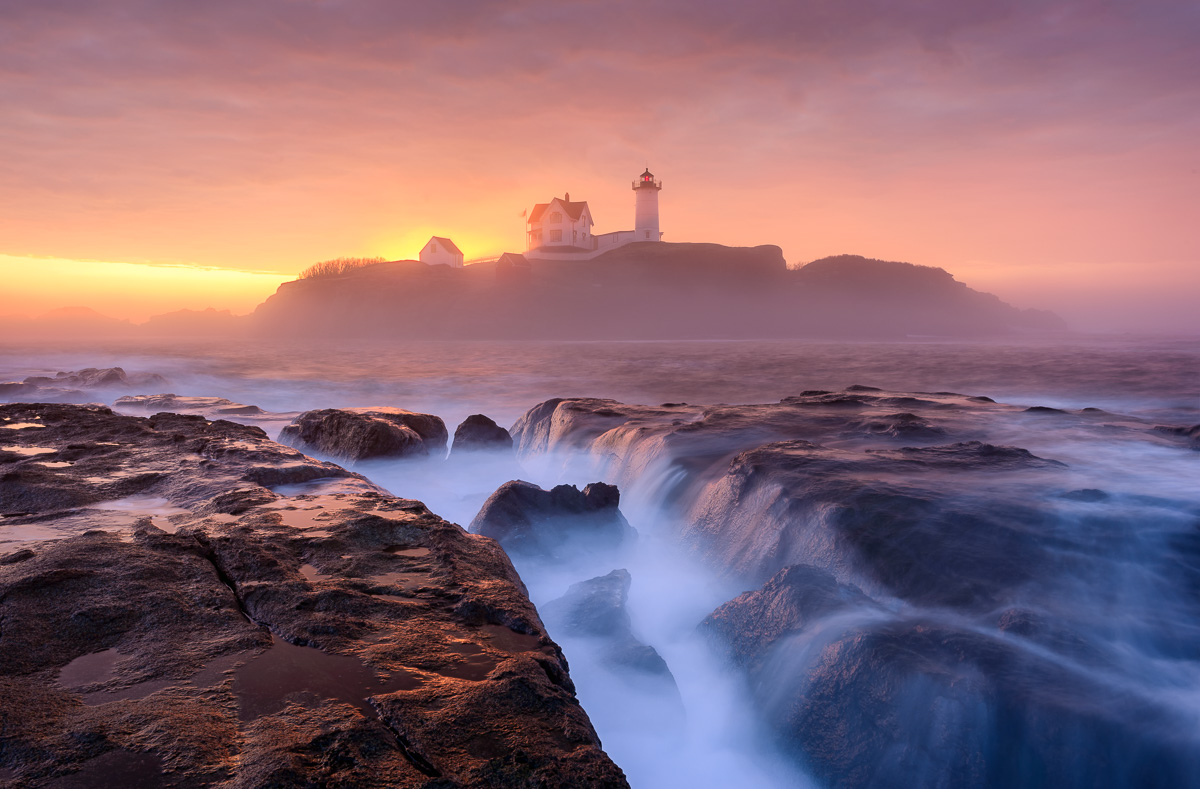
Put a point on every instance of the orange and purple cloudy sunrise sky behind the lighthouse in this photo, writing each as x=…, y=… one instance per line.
x=159, y=155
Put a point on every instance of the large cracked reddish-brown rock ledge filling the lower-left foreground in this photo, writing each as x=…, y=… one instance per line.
x=211, y=633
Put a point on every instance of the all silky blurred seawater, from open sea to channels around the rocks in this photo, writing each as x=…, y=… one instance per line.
x=1118, y=583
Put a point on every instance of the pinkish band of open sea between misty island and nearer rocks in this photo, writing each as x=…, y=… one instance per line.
x=1125, y=375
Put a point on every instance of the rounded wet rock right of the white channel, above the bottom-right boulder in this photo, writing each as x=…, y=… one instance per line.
x=938, y=541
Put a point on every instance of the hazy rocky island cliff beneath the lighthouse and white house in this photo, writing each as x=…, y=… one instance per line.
x=645, y=292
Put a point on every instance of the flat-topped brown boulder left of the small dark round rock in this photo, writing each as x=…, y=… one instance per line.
x=368, y=433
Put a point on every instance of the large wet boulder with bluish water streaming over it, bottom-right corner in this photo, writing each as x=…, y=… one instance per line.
x=884, y=701
